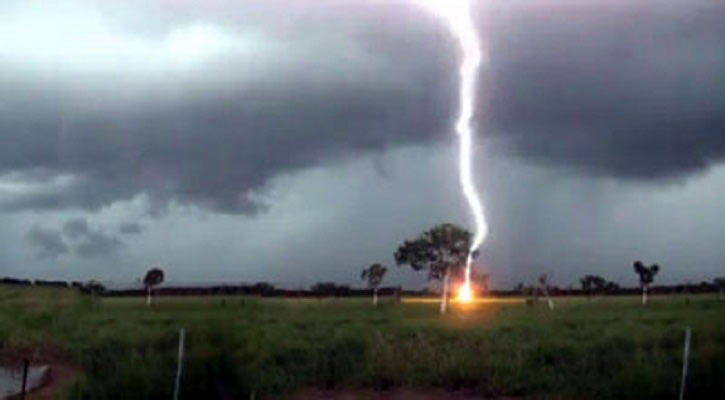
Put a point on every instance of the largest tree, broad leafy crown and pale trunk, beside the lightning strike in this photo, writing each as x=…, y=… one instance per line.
x=441, y=251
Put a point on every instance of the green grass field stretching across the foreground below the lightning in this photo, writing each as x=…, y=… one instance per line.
x=604, y=348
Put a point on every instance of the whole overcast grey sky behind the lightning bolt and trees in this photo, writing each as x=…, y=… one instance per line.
x=299, y=141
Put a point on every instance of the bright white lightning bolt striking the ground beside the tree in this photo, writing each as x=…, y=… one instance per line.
x=457, y=15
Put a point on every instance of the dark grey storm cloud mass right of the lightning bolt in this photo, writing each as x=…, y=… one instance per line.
x=631, y=89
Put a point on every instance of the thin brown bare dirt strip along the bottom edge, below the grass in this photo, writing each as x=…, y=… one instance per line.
x=395, y=394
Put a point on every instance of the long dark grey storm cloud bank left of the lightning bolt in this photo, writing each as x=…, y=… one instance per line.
x=212, y=144
